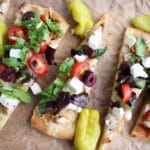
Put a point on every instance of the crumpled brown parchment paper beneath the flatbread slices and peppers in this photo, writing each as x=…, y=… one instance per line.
x=18, y=134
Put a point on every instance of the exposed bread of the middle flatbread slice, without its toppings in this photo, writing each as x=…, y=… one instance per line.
x=62, y=125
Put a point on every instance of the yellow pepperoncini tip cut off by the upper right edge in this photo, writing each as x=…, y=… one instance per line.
x=142, y=22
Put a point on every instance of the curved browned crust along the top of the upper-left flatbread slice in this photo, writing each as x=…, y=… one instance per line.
x=53, y=40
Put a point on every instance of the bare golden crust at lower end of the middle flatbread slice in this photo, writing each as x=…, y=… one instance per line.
x=46, y=124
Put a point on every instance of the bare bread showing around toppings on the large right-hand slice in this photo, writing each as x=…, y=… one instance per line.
x=117, y=122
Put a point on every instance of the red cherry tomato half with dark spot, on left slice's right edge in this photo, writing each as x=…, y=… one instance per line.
x=38, y=64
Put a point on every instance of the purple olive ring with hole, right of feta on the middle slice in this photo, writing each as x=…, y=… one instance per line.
x=89, y=78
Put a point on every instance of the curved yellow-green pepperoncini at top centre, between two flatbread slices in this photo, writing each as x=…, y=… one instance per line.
x=82, y=16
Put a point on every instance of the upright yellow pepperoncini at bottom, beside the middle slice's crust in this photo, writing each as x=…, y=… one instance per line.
x=87, y=130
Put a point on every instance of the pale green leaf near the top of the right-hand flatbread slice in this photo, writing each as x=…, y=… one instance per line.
x=140, y=46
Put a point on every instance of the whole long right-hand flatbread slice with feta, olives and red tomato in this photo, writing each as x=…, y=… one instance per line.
x=130, y=81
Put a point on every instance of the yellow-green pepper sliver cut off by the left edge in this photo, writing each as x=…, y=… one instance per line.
x=3, y=37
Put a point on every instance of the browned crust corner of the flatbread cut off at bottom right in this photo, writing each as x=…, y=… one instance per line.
x=140, y=131
